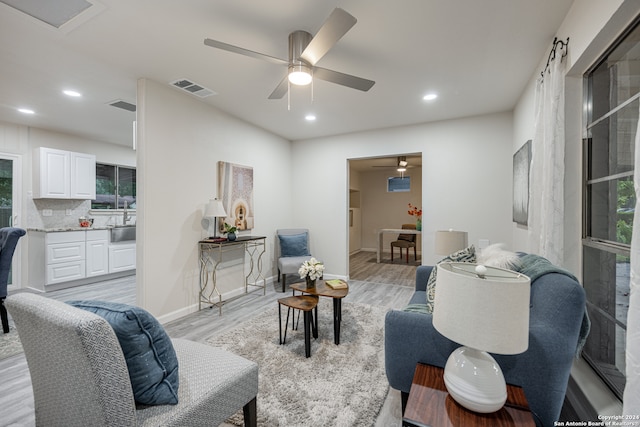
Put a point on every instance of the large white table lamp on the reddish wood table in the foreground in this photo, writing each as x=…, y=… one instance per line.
x=486, y=309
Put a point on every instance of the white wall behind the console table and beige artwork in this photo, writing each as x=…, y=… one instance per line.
x=180, y=141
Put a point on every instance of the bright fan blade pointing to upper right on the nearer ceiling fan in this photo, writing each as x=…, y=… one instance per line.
x=336, y=26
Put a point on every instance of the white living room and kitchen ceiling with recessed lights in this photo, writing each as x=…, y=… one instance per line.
x=477, y=55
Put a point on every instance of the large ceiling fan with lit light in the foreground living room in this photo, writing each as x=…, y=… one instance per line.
x=304, y=52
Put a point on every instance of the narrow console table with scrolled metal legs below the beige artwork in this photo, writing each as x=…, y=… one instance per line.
x=211, y=253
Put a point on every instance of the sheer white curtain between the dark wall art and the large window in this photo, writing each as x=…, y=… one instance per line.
x=546, y=188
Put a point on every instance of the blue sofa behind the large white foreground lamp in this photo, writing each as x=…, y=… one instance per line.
x=557, y=324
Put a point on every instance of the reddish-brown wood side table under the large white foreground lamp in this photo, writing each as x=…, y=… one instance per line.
x=431, y=405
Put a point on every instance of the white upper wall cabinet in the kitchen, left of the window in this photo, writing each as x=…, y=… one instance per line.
x=59, y=174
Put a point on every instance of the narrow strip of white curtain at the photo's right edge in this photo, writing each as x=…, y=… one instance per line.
x=631, y=401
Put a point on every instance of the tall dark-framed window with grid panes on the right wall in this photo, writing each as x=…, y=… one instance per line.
x=612, y=105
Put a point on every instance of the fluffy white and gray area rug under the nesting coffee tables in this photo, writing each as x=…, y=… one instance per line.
x=338, y=386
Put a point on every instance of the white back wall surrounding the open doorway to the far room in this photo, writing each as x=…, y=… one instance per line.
x=466, y=181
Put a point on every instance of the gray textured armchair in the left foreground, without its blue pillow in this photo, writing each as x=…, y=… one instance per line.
x=80, y=376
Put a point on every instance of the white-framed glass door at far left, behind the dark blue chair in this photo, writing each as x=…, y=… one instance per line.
x=10, y=167
